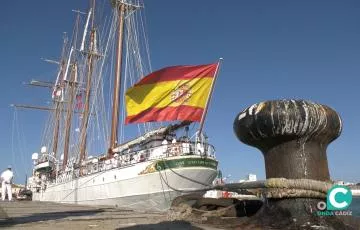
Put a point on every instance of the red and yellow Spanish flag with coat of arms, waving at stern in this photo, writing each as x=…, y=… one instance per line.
x=171, y=93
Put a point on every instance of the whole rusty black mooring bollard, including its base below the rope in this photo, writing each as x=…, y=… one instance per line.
x=293, y=136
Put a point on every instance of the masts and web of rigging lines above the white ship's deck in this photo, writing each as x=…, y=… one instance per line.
x=75, y=128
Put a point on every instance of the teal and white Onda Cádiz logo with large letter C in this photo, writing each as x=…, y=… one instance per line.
x=338, y=199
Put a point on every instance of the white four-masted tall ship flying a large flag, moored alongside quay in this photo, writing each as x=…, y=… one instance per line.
x=106, y=92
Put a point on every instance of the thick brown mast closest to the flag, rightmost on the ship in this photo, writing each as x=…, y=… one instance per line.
x=117, y=81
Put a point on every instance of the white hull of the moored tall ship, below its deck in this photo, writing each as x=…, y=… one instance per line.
x=127, y=187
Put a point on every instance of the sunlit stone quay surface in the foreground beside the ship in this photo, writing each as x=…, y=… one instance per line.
x=44, y=215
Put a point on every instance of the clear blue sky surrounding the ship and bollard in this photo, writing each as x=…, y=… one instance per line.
x=272, y=50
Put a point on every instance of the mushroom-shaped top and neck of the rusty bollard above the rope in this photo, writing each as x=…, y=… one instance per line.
x=293, y=136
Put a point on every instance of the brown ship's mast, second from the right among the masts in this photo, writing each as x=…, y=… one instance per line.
x=85, y=119
